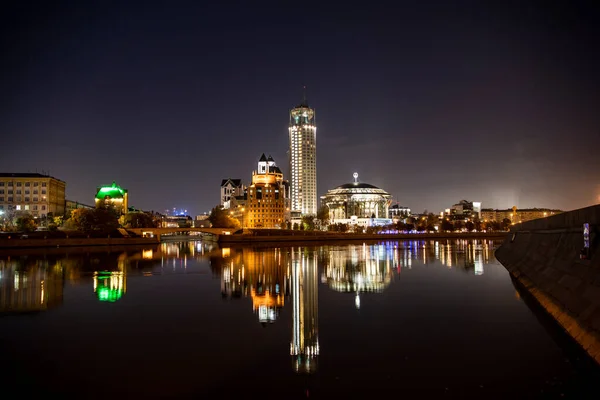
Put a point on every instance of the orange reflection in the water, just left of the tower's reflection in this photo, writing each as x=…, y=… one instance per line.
x=260, y=275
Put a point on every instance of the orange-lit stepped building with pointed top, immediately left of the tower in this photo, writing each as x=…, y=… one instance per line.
x=267, y=202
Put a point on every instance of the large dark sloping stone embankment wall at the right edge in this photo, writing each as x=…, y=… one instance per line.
x=545, y=256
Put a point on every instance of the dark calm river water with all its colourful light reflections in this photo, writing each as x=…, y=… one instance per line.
x=409, y=319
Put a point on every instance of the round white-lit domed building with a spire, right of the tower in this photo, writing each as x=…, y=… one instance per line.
x=358, y=203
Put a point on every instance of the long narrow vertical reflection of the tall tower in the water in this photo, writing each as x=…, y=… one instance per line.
x=305, y=338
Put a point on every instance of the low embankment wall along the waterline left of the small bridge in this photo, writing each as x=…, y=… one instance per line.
x=70, y=242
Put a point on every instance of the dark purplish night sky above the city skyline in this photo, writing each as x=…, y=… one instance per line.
x=433, y=102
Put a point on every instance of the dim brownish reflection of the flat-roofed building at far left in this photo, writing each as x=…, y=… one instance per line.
x=34, y=288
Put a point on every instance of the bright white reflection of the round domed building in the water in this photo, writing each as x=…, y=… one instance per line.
x=360, y=269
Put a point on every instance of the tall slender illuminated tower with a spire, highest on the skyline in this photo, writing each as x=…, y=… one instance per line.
x=303, y=159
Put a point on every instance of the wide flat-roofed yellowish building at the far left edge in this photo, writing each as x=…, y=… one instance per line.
x=34, y=194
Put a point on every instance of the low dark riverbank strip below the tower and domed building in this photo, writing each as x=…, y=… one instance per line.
x=316, y=236
